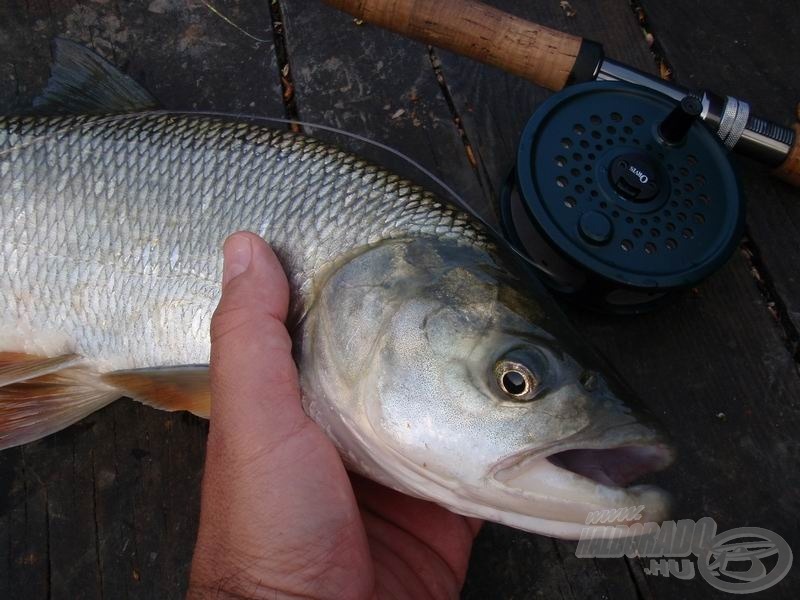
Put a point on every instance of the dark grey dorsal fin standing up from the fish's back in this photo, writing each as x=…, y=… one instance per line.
x=82, y=82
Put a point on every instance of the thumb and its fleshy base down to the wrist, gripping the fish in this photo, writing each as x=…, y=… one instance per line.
x=277, y=510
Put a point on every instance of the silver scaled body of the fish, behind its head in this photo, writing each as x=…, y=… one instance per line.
x=128, y=214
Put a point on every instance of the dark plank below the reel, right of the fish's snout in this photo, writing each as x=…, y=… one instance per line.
x=720, y=379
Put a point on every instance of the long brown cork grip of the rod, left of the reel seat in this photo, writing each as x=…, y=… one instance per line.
x=473, y=29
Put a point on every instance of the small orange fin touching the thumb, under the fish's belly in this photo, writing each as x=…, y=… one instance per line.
x=167, y=388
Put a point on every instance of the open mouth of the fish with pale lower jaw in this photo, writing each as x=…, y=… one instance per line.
x=570, y=488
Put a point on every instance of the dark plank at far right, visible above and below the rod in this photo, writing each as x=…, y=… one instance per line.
x=750, y=53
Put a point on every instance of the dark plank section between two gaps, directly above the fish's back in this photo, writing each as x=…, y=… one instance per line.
x=374, y=83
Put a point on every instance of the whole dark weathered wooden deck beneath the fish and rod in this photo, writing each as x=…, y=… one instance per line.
x=108, y=508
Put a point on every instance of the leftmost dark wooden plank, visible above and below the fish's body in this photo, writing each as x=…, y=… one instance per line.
x=108, y=508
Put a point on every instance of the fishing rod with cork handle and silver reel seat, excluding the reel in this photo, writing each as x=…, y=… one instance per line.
x=555, y=60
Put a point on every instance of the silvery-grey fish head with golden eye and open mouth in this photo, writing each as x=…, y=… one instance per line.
x=441, y=373
